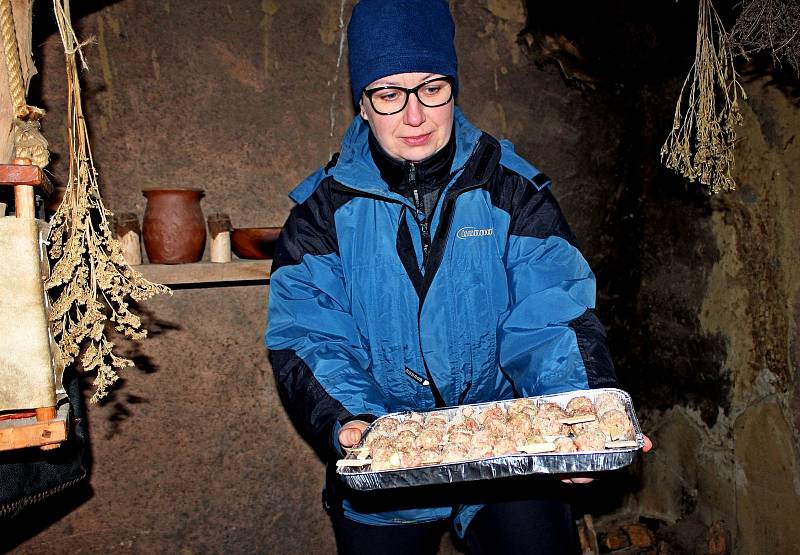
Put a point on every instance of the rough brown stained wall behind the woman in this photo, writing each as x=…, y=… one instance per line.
x=193, y=452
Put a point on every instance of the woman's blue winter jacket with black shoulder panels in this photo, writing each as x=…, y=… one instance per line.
x=358, y=327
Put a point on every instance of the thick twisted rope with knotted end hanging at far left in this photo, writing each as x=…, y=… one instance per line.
x=28, y=139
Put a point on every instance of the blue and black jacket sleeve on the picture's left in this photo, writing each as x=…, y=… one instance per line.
x=319, y=360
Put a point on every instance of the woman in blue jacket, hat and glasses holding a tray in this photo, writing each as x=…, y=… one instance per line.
x=427, y=266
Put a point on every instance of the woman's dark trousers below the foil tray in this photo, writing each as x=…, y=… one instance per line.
x=541, y=527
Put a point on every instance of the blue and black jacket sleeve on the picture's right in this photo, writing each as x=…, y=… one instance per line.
x=549, y=339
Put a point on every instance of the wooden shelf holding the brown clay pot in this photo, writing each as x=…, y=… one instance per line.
x=256, y=271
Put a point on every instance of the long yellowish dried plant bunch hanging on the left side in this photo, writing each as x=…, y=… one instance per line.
x=91, y=281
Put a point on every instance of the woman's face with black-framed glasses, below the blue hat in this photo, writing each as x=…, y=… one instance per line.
x=417, y=131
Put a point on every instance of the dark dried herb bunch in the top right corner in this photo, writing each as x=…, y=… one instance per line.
x=771, y=25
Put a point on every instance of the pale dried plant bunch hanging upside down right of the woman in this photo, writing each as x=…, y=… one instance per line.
x=701, y=144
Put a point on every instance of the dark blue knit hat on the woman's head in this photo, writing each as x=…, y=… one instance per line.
x=385, y=37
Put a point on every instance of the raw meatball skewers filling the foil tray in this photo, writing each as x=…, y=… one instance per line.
x=474, y=432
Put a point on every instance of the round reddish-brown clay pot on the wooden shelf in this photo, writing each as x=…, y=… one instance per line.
x=173, y=228
